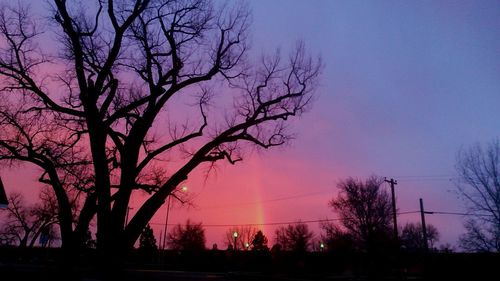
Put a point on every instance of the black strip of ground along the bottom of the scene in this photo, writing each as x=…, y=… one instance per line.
x=45, y=264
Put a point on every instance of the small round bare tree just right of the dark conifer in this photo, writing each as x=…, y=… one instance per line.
x=294, y=237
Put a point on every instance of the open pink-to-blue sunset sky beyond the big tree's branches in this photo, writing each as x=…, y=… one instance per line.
x=406, y=84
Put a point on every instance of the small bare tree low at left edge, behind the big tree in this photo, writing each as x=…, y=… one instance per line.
x=24, y=224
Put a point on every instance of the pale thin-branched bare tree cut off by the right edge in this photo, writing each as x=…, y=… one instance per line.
x=478, y=168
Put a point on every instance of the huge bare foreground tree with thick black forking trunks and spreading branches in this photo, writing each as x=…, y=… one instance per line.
x=102, y=115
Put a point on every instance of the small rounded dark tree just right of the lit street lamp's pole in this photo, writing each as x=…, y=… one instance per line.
x=191, y=237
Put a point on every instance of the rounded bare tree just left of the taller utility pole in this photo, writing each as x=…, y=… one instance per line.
x=365, y=211
